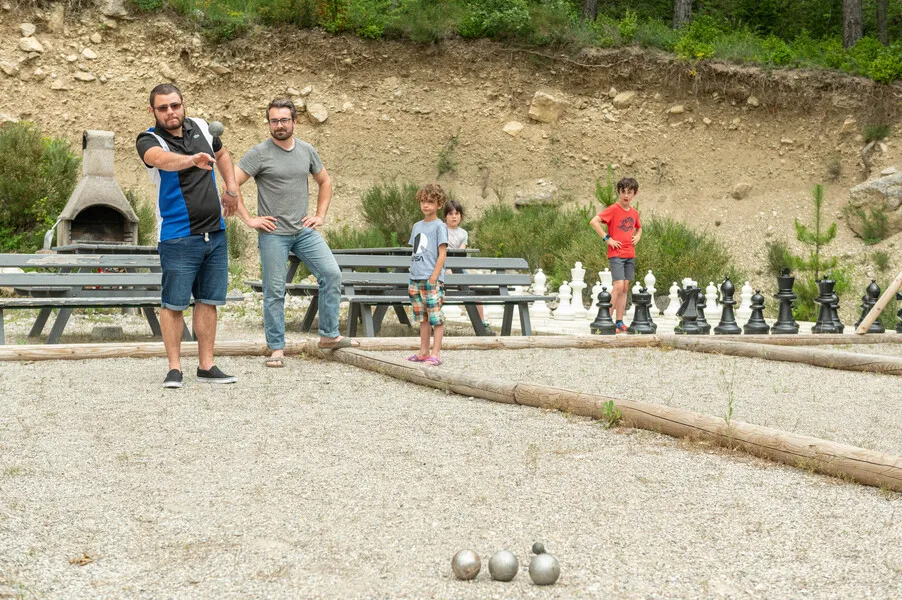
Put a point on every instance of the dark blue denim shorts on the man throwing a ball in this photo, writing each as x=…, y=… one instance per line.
x=194, y=265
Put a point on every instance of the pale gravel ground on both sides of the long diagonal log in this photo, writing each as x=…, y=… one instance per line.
x=324, y=481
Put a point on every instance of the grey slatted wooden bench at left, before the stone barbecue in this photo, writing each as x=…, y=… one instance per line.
x=68, y=281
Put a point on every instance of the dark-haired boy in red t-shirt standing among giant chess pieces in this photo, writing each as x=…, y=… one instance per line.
x=623, y=232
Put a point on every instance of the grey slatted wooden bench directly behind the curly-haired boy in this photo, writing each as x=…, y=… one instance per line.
x=371, y=294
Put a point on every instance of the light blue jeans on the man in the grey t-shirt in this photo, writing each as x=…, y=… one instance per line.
x=311, y=248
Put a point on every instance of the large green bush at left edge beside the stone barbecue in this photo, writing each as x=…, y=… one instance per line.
x=37, y=176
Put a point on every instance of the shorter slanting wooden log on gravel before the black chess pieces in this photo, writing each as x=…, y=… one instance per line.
x=831, y=359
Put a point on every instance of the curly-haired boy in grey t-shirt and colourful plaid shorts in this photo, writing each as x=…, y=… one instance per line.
x=429, y=239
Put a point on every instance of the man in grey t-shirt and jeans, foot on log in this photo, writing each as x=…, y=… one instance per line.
x=280, y=167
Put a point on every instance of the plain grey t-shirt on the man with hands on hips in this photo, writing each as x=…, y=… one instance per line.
x=281, y=177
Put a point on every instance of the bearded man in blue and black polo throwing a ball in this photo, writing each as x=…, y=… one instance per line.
x=179, y=154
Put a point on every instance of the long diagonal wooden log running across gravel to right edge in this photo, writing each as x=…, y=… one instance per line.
x=865, y=466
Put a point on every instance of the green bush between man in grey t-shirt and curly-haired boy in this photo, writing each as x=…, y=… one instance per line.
x=392, y=209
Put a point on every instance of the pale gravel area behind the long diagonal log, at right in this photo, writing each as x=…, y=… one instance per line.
x=861, y=409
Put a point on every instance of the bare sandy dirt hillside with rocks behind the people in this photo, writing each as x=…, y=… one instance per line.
x=689, y=135
